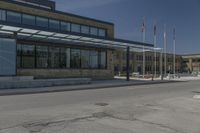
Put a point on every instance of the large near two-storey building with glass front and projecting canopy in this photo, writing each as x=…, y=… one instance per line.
x=38, y=40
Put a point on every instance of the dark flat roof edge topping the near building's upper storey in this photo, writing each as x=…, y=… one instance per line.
x=60, y=12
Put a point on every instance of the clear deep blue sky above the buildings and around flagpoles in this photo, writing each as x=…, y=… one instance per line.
x=127, y=16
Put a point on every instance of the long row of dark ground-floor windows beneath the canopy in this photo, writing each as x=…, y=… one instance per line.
x=41, y=57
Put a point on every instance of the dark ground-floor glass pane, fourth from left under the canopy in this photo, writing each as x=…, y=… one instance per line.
x=54, y=57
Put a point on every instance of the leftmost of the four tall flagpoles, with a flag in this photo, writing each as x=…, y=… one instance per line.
x=143, y=40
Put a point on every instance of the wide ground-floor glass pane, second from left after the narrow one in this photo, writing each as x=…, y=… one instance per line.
x=28, y=56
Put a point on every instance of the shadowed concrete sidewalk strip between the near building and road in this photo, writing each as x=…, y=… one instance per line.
x=94, y=85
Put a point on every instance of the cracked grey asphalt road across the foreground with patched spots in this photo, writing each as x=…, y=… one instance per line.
x=158, y=108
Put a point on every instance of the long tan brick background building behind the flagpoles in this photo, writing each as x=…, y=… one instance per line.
x=136, y=62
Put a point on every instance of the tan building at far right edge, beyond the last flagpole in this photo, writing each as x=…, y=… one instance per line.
x=191, y=63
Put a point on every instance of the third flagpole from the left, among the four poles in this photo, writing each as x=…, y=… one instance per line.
x=165, y=51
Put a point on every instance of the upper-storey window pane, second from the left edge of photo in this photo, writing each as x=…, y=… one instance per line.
x=13, y=17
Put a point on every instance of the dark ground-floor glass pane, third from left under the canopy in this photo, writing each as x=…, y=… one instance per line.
x=42, y=56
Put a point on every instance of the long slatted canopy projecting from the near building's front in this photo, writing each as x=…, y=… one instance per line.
x=55, y=37
